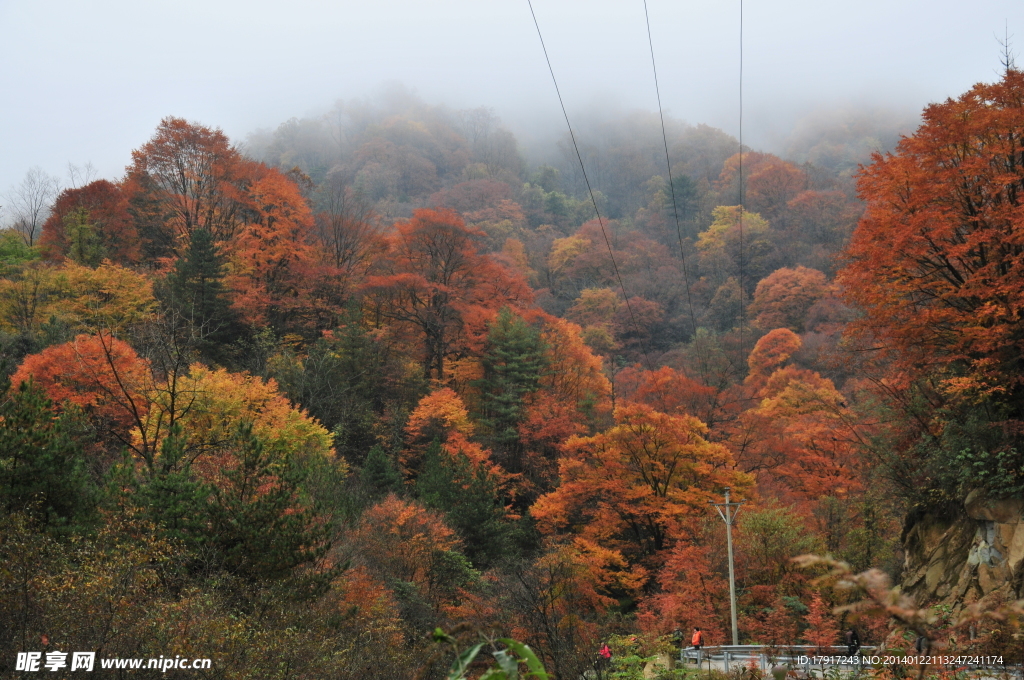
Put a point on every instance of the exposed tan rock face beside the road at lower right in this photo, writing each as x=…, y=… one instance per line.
x=959, y=562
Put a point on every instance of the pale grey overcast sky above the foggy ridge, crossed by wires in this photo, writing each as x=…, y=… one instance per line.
x=90, y=81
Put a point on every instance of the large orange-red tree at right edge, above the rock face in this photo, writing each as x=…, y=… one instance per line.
x=937, y=262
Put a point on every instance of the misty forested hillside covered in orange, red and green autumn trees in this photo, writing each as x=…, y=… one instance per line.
x=291, y=403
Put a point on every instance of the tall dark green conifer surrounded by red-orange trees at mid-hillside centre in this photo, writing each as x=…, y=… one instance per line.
x=514, y=364
